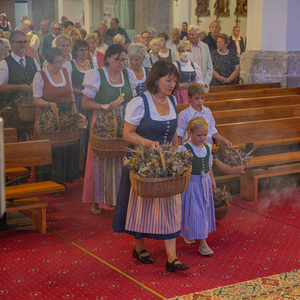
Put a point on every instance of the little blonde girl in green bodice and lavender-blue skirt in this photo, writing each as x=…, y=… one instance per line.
x=197, y=205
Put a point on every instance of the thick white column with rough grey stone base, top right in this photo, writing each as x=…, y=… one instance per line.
x=273, y=47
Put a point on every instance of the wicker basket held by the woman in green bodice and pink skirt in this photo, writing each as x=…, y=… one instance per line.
x=107, y=147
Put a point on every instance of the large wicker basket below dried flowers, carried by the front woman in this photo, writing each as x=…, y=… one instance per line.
x=159, y=187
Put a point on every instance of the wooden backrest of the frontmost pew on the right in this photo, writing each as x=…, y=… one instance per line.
x=261, y=131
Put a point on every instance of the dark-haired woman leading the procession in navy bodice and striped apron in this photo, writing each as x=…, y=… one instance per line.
x=151, y=119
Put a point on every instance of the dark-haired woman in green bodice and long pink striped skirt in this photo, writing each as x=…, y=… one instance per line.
x=103, y=86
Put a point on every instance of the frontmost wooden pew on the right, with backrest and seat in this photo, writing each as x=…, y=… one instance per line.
x=264, y=132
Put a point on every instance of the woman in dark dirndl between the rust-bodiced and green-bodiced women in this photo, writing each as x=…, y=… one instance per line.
x=78, y=67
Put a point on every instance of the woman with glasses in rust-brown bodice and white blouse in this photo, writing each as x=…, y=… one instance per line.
x=52, y=89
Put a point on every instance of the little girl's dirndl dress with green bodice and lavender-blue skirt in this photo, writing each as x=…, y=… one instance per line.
x=197, y=204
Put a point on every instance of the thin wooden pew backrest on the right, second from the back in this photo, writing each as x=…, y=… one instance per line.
x=251, y=94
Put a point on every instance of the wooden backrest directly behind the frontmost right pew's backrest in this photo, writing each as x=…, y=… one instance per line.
x=253, y=114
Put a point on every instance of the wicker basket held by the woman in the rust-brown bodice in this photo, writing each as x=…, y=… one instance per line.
x=60, y=138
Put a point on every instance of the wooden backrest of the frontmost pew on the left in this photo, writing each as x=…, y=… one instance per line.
x=26, y=154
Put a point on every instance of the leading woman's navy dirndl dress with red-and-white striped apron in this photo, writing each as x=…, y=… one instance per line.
x=155, y=131
